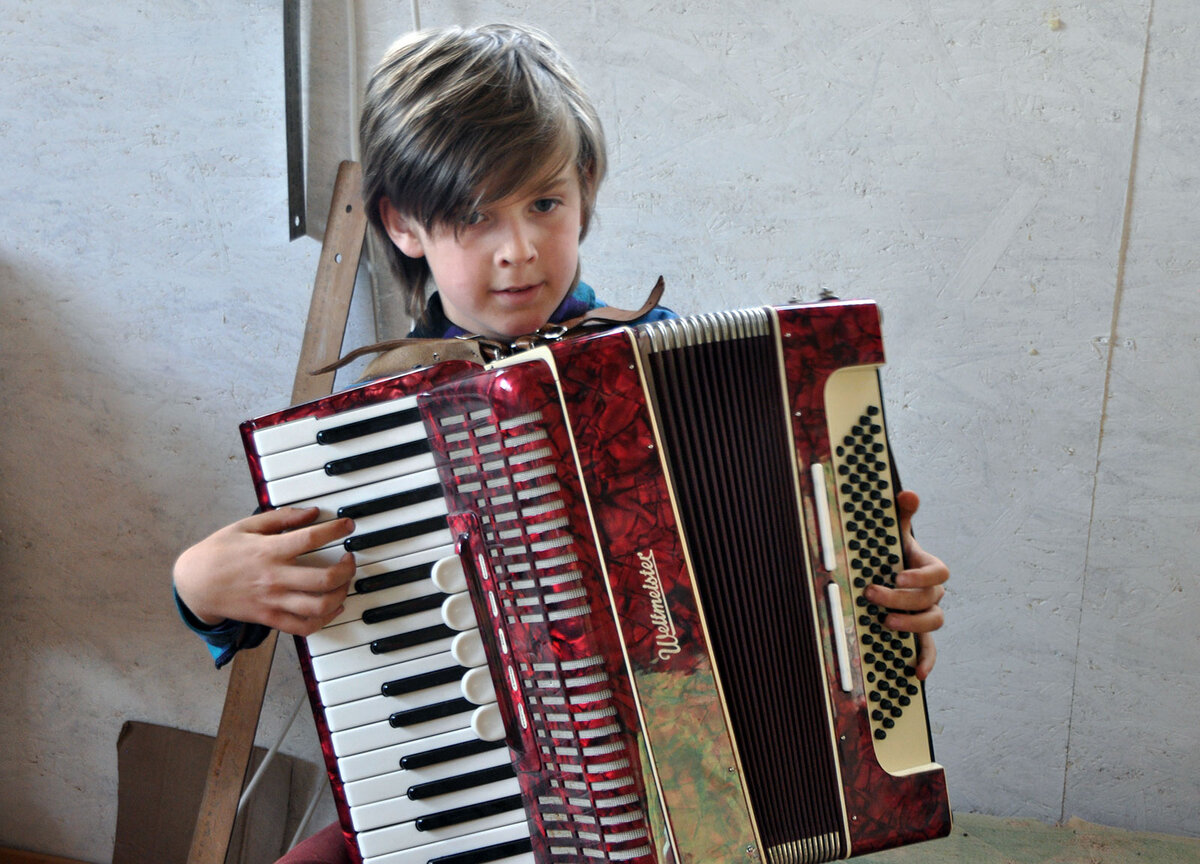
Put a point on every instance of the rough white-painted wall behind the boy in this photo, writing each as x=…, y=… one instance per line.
x=1016, y=185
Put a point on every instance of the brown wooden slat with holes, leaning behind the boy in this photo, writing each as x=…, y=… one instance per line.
x=250, y=670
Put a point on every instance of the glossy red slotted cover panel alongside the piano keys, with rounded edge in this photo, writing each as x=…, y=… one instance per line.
x=517, y=505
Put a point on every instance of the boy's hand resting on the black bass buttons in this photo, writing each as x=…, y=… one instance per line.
x=919, y=592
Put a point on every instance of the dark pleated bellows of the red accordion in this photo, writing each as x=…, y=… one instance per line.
x=719, y=407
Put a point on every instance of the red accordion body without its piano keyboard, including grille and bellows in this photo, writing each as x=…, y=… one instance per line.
x=667, y=533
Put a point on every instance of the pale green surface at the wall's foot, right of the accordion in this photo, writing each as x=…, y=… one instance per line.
x=1028, y=842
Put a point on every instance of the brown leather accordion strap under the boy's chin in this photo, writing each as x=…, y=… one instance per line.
x=404, y=355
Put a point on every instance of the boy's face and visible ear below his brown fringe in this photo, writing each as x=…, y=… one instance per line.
x=506, y=271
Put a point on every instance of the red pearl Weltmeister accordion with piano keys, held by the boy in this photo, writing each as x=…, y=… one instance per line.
x=609, y=603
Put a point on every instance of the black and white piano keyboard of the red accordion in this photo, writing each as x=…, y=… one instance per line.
x=403, y=737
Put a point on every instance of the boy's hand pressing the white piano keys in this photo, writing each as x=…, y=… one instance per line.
x=249, y=572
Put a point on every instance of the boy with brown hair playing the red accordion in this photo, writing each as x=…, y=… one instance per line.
x=482, y=163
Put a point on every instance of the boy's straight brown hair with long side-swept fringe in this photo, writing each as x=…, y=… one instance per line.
x=458, y=119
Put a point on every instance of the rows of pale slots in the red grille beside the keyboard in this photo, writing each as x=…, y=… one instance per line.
x=589, y=800
